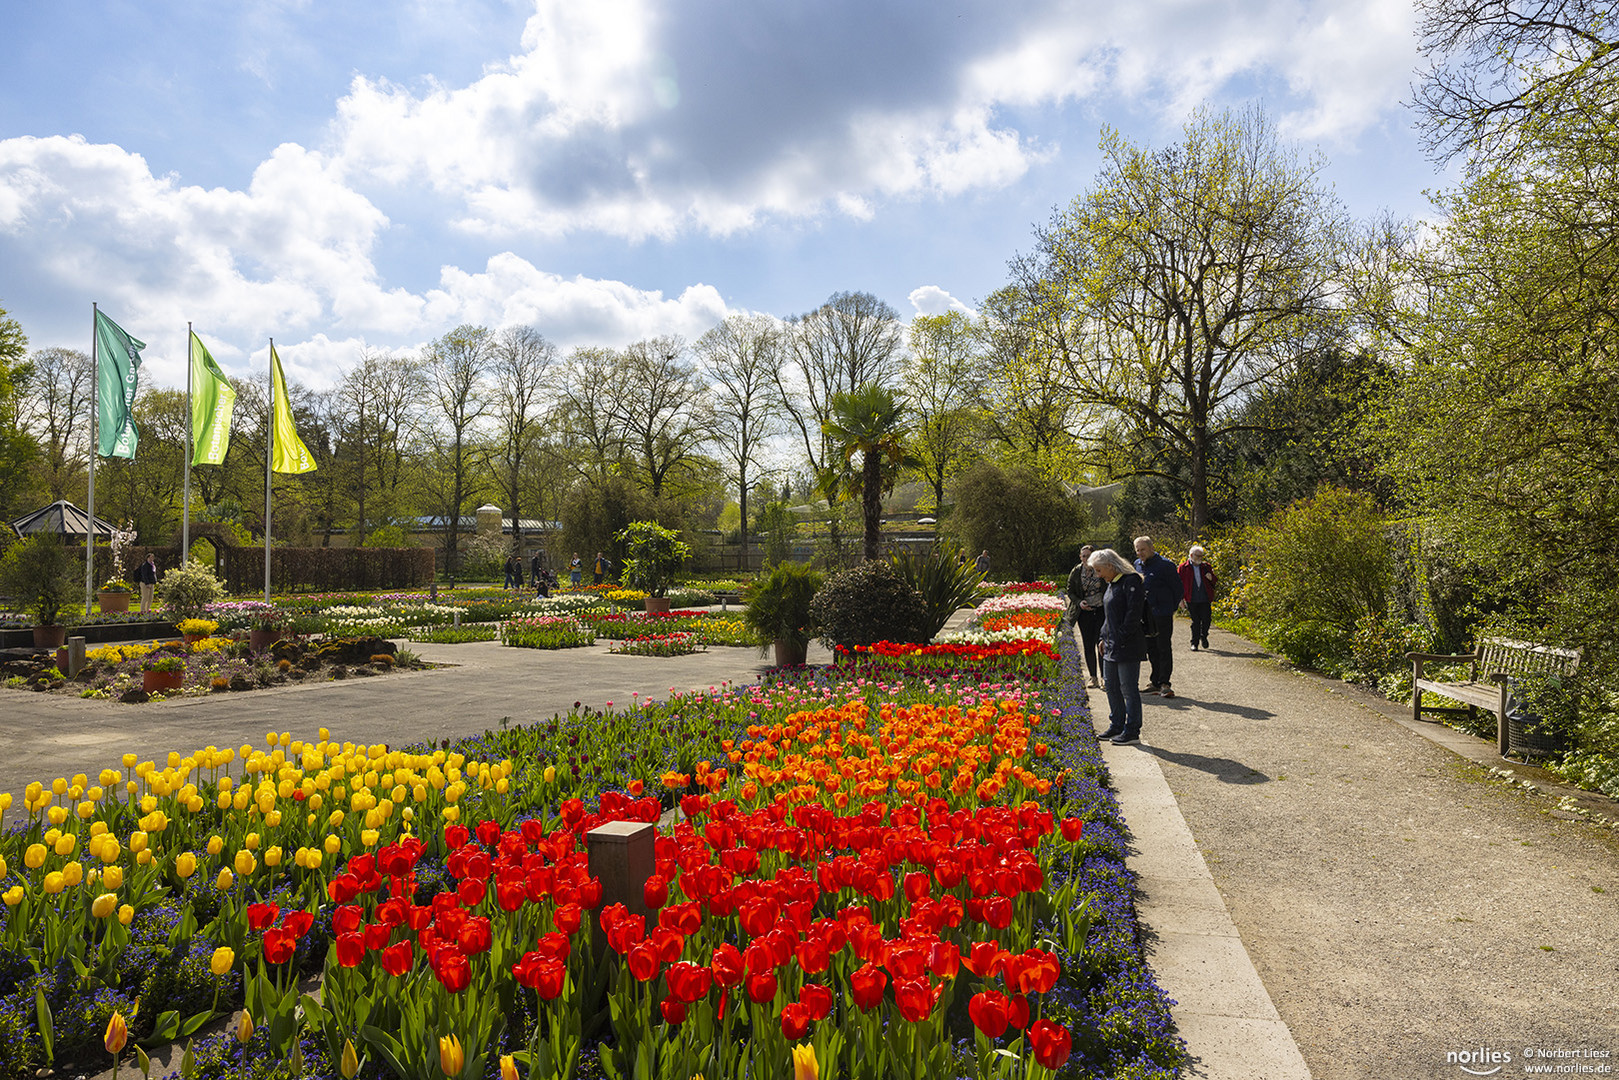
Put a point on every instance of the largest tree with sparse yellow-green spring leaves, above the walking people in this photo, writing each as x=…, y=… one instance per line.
x=1183, y=283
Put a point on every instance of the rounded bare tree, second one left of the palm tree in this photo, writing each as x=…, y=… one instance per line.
x=663, y=410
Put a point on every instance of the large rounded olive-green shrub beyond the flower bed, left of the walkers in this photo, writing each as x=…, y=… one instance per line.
x=1018, y=516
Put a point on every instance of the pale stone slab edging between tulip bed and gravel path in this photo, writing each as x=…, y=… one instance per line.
x=1223, y=1011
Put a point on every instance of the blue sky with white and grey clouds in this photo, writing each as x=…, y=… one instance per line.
x=618, y=169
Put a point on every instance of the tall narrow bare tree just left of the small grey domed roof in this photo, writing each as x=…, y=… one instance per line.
x=456, y=367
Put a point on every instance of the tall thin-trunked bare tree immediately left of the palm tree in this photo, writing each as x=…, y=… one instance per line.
x=741, y=359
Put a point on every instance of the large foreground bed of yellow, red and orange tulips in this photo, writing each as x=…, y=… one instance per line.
x=899, y=867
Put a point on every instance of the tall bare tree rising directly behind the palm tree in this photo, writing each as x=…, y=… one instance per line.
x=849, y=342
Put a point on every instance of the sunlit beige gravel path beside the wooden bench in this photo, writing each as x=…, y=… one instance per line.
x=1400, y=908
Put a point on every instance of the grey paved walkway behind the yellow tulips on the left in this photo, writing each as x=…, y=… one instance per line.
x=49, y=736
